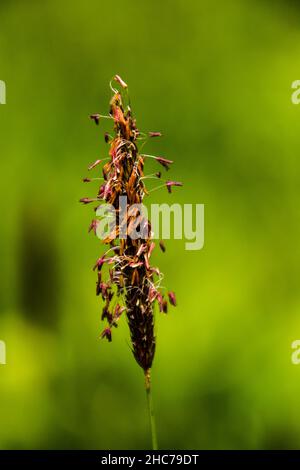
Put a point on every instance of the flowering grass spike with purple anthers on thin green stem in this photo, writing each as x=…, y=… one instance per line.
x=126, y=281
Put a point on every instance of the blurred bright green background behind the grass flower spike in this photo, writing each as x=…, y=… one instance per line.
x=215, y=78
